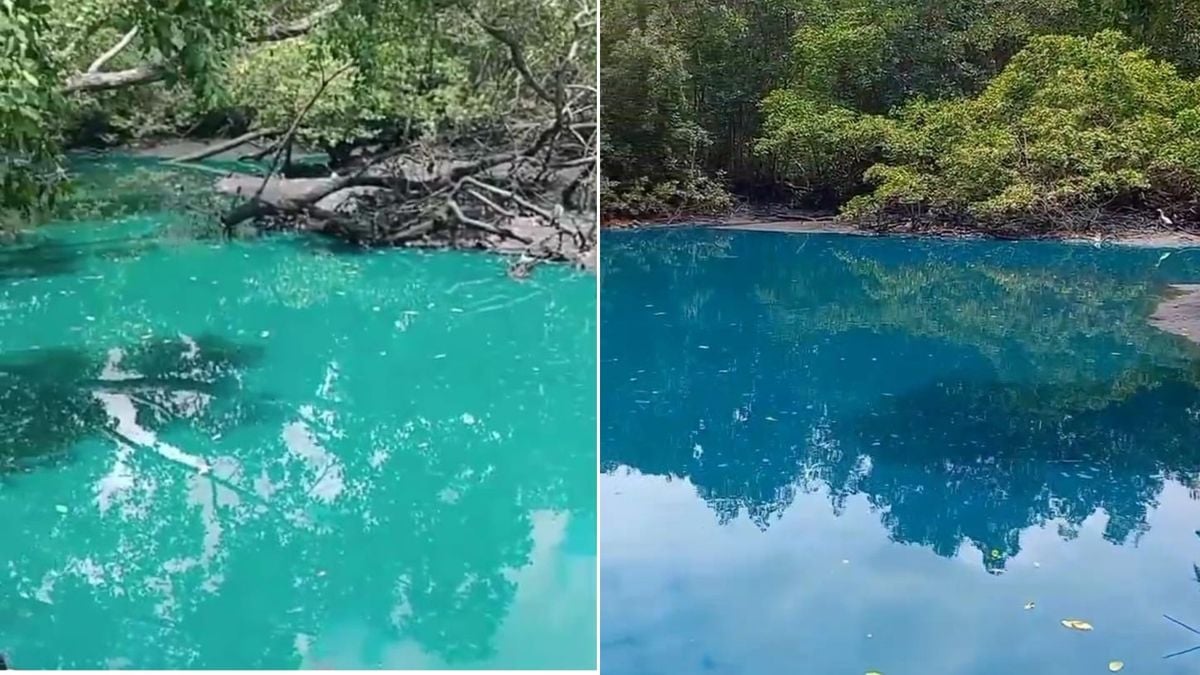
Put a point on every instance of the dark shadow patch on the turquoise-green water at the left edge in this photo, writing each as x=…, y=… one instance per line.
x=53, y=399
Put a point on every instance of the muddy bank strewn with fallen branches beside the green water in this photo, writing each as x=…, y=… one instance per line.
x=491, y=216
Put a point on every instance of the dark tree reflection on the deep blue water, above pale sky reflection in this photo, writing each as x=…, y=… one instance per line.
x=969, y=392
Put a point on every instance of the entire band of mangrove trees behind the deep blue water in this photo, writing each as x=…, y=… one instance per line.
x=965, y=112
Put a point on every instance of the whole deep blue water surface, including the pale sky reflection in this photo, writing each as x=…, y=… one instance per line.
x=833, y=455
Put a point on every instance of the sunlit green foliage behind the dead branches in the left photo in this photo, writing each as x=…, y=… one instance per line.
x=416, y=67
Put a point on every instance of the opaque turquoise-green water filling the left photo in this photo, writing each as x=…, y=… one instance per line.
x=275, y=453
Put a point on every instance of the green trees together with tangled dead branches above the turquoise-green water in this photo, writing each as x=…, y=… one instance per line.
x=379, y=87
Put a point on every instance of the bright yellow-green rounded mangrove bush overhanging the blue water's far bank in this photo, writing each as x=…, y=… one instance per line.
x=1071, y=122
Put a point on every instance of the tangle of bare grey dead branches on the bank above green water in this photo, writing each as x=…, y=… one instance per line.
x=526, y=189
